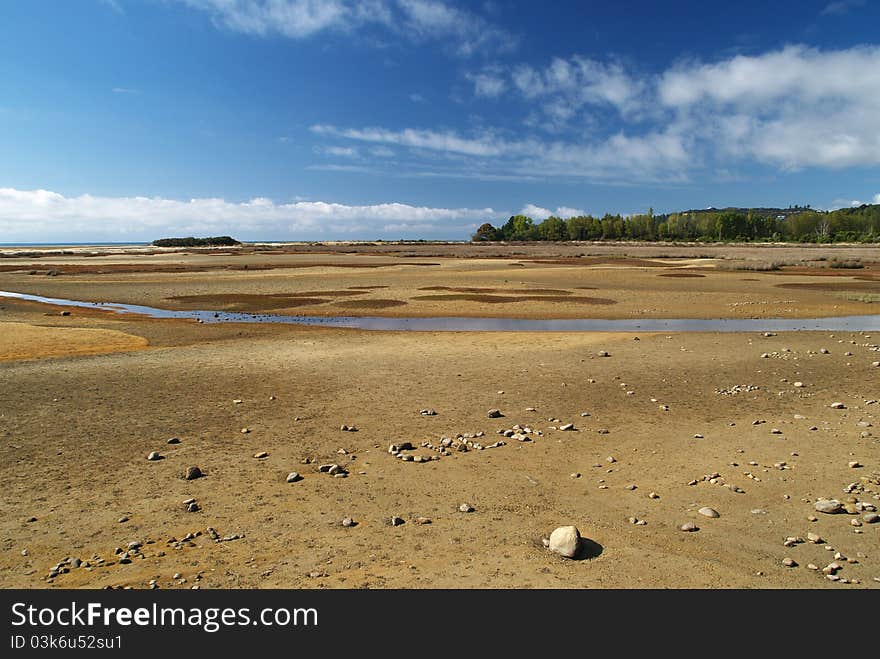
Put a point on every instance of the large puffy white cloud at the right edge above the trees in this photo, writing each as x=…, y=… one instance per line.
x=793, y=108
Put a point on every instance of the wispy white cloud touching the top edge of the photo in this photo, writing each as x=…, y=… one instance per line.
x=417, y=21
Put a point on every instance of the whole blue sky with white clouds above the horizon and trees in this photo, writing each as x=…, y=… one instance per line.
x=307, y=119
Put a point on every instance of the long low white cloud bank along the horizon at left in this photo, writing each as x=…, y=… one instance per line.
x=38, y=215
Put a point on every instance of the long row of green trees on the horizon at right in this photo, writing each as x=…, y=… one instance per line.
x=800, y=224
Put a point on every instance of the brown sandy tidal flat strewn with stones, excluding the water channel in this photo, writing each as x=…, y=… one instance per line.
x=663, y=426
